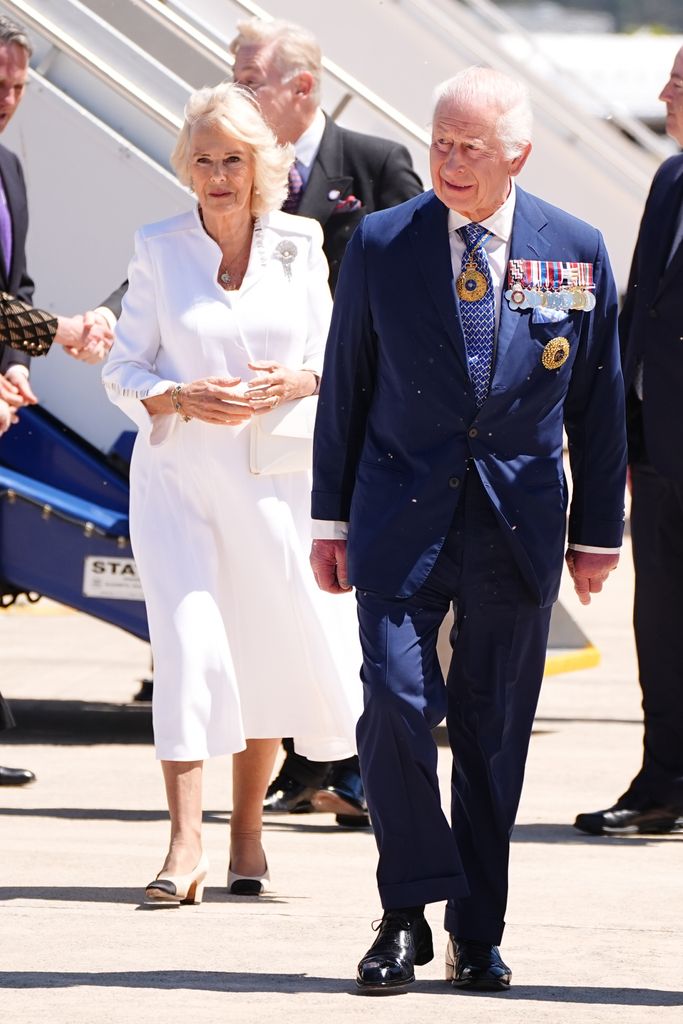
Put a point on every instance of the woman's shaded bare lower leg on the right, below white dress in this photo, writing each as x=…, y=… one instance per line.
x=251, y=774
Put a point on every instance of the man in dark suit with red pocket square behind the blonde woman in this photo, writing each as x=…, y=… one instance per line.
x=338, y=178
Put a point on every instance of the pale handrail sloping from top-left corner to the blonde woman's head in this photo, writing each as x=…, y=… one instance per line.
x=67, y=45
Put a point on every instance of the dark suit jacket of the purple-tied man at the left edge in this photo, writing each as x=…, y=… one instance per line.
x=18, y=281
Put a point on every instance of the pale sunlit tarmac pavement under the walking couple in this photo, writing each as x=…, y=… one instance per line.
x=594, y=924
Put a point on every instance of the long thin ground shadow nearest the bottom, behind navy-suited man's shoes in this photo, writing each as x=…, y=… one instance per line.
x=297, y=985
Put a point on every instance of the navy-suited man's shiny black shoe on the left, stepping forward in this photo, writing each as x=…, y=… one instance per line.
x=389, y=965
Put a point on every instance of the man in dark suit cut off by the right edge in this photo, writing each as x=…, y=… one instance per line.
x=652, y=335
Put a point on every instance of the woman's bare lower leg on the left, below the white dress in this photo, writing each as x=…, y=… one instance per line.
x=184, y=793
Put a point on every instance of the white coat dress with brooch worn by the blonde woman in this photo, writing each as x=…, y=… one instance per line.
x=244, y=644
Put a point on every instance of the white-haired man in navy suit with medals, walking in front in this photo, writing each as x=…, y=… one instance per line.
x=472, y=325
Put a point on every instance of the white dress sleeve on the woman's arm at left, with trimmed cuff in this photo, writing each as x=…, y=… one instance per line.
x=131, y=373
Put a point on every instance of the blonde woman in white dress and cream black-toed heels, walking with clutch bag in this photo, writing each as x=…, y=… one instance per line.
x=226, y=318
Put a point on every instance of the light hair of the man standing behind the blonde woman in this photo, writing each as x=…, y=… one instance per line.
x=294, y=50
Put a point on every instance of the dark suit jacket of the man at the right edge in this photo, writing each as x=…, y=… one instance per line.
x=652, y=329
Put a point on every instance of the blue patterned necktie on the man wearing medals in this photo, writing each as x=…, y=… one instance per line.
x=479, y=316
